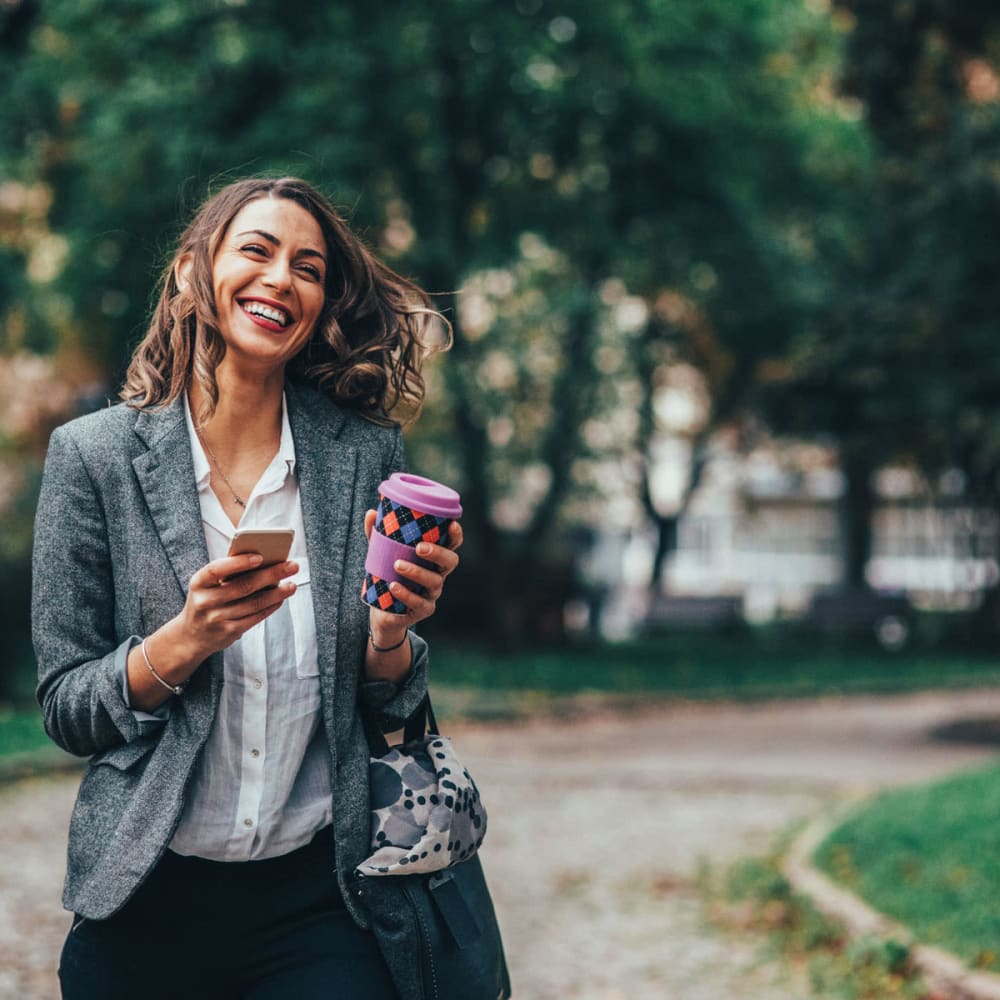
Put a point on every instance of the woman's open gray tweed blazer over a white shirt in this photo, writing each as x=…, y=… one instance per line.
x=118, y=535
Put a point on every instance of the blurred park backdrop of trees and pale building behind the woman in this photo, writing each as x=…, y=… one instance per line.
x=722, y=276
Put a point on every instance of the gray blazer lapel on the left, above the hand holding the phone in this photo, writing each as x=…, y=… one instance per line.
x=166, y=477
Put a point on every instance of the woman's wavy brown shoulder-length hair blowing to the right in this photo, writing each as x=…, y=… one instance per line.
x=365, y=351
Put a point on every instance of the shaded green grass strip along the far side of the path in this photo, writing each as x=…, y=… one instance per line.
x=706, y=665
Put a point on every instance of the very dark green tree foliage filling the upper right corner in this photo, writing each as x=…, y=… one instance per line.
x=900, y=365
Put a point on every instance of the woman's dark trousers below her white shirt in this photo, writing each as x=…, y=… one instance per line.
x=206, y=930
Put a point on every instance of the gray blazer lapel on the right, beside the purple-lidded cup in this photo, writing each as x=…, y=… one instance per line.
x=327, y=477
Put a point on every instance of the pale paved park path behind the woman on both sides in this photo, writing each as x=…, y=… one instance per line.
x=597, y=829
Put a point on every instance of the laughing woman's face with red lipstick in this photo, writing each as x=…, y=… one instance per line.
x=269, y=278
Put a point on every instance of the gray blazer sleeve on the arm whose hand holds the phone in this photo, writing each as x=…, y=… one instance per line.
x=80, y=657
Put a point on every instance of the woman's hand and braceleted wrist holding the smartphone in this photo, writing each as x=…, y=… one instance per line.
x=226, y=598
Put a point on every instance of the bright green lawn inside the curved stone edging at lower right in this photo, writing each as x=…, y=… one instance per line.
x=930, y=858
